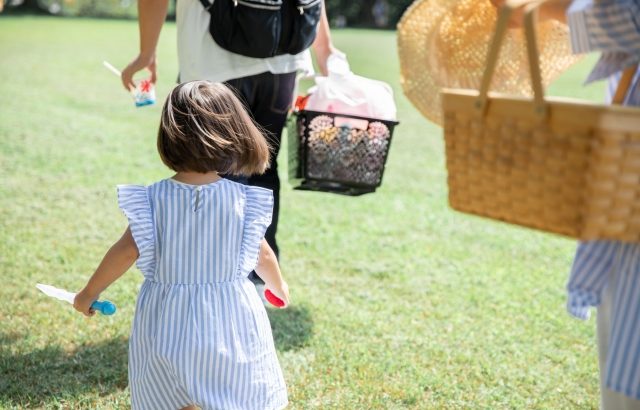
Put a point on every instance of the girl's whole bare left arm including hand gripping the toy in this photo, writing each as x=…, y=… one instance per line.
x=115, y=263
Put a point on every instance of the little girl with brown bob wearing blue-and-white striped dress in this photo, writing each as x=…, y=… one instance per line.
x=201, y=336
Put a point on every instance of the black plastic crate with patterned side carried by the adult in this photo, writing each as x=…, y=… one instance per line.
x=343, y=154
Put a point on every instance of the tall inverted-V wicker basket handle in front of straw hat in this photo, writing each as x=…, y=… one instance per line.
x=532, y=53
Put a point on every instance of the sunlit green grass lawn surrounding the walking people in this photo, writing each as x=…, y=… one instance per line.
x=398, y=302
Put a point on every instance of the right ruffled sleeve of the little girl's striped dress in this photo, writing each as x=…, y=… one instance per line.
x=257, y=213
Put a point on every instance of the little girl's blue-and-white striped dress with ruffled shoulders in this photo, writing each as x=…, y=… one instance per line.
x=200, y=334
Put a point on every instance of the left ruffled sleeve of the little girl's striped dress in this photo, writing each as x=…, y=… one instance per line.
x=134, y=202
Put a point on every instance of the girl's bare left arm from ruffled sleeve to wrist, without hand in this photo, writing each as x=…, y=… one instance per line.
x=114, y=264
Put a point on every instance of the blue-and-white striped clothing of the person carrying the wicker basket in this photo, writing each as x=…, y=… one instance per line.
x=611, y=27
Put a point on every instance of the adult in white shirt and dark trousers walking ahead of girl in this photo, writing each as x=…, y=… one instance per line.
x=266, y=85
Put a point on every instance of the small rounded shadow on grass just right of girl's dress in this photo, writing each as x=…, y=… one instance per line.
x=292, y=327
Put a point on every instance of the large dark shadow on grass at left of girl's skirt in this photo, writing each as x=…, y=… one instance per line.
x=32, y=379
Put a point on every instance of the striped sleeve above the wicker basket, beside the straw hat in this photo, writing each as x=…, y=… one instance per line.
x=606, y=26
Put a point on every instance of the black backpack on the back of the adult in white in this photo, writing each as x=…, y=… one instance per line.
x=263, y=28
